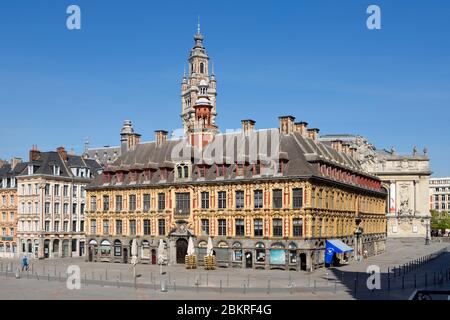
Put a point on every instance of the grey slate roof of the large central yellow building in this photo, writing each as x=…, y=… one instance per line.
x=300, y=154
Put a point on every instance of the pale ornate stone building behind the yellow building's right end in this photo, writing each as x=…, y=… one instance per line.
x=405, y=179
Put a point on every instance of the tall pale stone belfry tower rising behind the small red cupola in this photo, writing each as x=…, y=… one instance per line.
x=198, y=83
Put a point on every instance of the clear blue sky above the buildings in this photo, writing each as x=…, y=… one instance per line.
x=315, y=60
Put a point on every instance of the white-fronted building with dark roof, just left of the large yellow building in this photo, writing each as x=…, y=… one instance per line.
x=51, y=205
